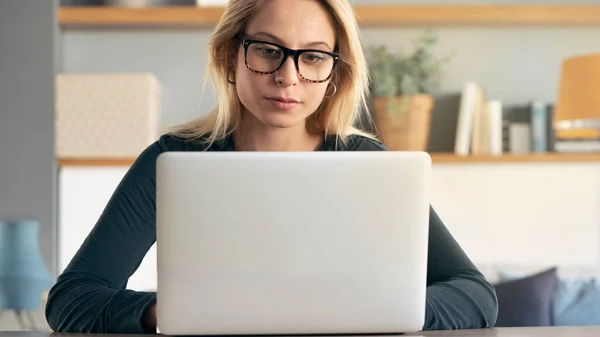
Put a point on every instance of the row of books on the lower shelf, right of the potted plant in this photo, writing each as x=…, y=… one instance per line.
x=468, y=123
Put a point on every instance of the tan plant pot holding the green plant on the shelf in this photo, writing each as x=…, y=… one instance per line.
x=407, y=129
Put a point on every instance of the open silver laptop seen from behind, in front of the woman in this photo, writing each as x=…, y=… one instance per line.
x=292, y=243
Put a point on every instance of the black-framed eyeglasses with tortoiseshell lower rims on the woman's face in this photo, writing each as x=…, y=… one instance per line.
x=312, y=65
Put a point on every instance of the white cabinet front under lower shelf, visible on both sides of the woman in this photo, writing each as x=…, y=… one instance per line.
x=531, y=214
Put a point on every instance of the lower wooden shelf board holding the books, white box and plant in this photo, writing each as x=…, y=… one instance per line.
x=437, y=158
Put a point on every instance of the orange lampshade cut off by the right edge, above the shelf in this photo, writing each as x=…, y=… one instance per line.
x=577, y=110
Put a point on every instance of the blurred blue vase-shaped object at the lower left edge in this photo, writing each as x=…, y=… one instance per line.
x=23, y=274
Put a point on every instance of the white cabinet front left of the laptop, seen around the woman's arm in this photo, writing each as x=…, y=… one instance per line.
x=83, y=194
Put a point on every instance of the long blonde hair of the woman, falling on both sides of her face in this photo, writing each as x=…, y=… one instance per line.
x=337, y=115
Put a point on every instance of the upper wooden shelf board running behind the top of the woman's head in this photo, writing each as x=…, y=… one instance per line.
x=398, y=15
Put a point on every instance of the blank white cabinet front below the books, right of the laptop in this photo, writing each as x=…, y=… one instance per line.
x=522, y=213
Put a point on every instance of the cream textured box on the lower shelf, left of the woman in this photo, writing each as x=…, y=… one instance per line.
x=106, y=115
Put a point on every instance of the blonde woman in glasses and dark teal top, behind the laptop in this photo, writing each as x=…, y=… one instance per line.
x=305, y=98
